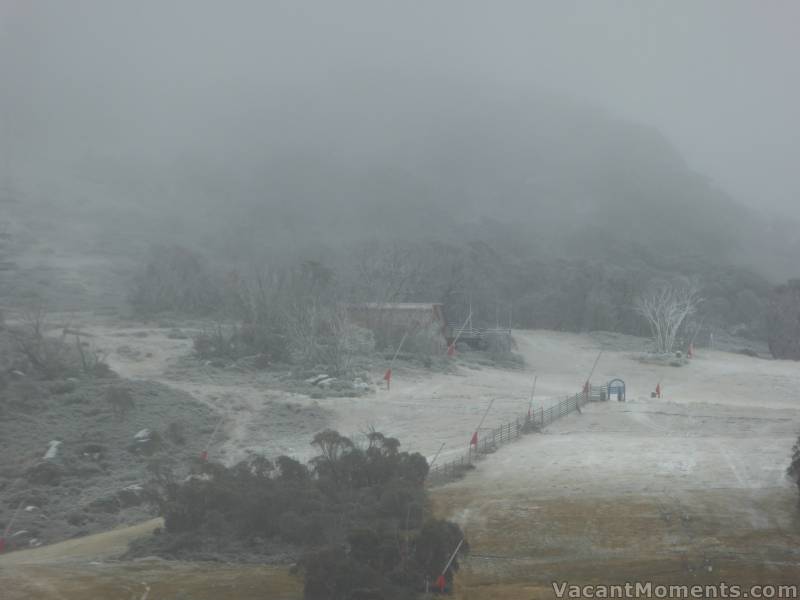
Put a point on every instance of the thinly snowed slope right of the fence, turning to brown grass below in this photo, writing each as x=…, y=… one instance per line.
x=689, y=486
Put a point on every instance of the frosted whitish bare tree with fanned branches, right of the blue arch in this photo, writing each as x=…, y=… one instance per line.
x=665, y=307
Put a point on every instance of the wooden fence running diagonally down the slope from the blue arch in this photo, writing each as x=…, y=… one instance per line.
x=490, y=440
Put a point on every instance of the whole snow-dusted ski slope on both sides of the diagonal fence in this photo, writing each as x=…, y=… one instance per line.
x=688, y=485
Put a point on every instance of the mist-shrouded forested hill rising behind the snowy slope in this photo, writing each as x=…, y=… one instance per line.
x=535, y=208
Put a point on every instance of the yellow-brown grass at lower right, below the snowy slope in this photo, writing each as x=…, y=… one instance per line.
x=521, y=545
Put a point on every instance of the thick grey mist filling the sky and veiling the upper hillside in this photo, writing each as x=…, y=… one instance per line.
x=614, y=131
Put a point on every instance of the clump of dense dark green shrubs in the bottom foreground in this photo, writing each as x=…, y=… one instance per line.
x=357, y=515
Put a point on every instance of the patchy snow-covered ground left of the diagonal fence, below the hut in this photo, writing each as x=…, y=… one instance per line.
x=423, y=408
